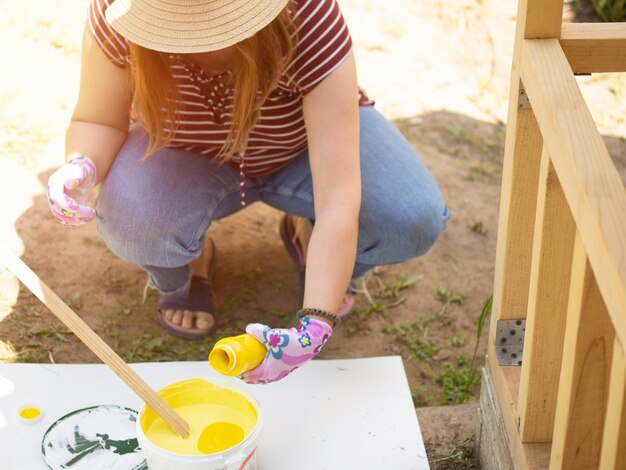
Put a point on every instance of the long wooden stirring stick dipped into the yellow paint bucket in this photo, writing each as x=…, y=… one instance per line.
x=92, y=340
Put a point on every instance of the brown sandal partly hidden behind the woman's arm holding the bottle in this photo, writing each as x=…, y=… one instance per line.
x=292, y=242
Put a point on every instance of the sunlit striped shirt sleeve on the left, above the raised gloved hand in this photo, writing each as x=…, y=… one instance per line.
x=114, y=45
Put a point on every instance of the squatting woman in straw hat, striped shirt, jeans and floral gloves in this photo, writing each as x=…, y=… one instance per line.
x=190, y=110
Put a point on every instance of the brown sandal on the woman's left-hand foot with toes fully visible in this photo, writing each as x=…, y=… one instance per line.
x=199, y=298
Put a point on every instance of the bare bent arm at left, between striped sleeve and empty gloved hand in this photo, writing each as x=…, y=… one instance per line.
x=101, y=117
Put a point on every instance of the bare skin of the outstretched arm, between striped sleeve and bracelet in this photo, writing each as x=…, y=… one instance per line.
x=331, y=116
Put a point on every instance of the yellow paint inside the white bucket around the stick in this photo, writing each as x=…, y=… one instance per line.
x=219, y=418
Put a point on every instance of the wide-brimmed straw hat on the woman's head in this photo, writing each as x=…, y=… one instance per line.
x=184, y=26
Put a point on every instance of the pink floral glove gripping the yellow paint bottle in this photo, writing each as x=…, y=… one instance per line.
x=287, y=349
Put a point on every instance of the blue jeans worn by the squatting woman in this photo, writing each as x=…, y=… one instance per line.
x=154, y=213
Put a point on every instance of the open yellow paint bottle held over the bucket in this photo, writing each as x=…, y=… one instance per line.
x=237, y=354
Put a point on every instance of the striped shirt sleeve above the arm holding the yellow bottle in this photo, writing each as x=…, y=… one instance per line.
x=323, y=42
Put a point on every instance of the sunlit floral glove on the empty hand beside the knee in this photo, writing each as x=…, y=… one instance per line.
x=68, y=188
